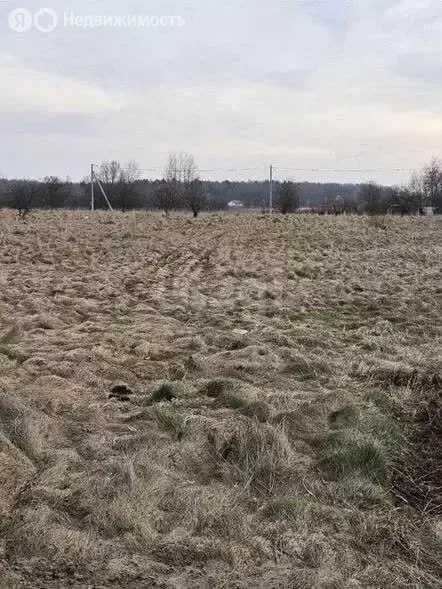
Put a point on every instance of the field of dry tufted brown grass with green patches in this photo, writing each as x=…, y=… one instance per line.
x=226, y=402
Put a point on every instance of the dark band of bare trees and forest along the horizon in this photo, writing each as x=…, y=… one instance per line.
x=181, y=188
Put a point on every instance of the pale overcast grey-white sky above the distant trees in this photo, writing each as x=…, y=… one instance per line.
x=329, y=84
